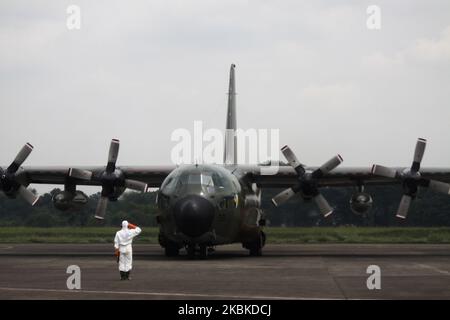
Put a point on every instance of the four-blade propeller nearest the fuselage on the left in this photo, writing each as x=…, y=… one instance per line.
x=109, y=179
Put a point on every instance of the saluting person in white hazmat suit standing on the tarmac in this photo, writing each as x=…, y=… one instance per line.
x=123, y=248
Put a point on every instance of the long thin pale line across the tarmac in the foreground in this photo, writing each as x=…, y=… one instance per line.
x=172, y=294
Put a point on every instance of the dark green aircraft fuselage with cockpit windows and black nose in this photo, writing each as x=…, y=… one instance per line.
x=204, y=206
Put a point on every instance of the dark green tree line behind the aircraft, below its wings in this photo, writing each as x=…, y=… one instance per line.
x=428, y=209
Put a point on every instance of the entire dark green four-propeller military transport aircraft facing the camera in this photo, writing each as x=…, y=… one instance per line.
x=202, y=205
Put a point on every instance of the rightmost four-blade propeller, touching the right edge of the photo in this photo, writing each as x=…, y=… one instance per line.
x=411, y=179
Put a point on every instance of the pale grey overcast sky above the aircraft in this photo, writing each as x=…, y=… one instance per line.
x=137, y=70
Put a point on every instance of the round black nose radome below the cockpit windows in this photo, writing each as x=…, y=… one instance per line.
x=193, y=215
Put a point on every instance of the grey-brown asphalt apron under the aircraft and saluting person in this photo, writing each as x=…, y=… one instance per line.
x=284, y=272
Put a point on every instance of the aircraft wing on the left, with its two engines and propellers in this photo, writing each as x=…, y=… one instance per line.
x=14, y=179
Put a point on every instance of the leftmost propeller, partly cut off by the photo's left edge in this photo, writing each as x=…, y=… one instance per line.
x=9, y=181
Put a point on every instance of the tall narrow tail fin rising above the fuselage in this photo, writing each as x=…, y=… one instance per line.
x=230, y=152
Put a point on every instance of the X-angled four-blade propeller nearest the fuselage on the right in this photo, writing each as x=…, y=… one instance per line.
x=307, y=181
